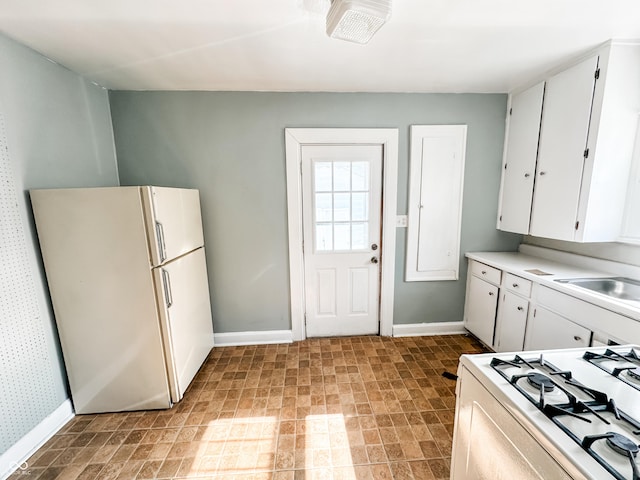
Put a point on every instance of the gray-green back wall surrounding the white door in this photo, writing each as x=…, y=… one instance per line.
x=230, y=145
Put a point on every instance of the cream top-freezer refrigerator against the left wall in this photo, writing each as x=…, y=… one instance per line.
x=128, y=283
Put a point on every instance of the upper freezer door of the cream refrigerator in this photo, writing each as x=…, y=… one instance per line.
x=175, y=222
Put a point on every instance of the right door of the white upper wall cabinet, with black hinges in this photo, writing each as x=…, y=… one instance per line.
x=563, y=140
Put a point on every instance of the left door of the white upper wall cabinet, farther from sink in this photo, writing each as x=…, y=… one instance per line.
x=521, y=152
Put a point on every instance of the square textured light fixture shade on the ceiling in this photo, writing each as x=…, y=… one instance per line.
x=357, y=20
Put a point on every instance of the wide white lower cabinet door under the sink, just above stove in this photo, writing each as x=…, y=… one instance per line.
x=548, y=330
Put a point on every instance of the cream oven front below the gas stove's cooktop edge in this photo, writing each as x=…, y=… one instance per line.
x=489, y=443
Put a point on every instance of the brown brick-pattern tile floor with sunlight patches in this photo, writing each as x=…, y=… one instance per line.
x=340, y=408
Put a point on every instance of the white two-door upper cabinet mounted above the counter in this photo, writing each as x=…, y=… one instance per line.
x=585, y=147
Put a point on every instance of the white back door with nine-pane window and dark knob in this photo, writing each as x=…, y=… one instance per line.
x=341, y=227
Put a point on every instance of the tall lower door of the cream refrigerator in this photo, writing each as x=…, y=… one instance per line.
x=182, y=289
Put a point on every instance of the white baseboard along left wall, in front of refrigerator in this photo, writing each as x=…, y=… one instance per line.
x=16, y=456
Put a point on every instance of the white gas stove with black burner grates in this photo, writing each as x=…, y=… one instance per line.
x=581, y=405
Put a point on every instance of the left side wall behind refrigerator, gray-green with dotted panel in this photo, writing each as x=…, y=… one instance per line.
x=58, y=130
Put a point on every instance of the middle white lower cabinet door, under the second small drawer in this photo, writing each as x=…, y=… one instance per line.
x=511, y=323
